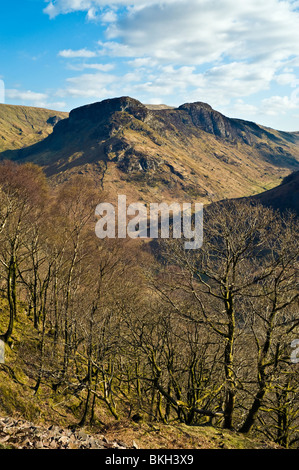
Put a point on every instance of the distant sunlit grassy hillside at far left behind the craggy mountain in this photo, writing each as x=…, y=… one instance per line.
x=21, y=126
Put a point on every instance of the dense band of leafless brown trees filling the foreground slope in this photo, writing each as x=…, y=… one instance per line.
x=152, y=332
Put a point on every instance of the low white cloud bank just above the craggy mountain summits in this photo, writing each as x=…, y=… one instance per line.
x=218, y=86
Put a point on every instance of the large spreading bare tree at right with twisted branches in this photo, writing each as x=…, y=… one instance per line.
x=239, y=255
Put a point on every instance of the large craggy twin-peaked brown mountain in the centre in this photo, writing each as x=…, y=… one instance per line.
x=158, y=152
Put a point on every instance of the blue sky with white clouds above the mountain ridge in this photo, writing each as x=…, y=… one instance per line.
x=241, y=57
